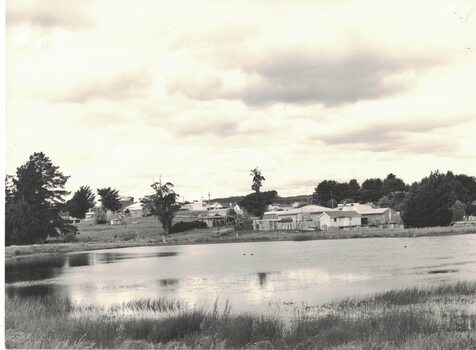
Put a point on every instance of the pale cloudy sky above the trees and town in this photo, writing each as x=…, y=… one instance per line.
x=119, y=93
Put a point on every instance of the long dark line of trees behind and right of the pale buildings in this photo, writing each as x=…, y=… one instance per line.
x=436, y=200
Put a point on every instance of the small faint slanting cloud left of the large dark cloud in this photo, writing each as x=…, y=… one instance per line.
x=123, y=87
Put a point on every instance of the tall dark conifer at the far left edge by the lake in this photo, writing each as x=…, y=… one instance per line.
x=33, y=202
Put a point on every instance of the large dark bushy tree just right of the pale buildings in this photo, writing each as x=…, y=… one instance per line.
x=429, y=201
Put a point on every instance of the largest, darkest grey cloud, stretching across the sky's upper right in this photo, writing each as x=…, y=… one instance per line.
x=306, y=77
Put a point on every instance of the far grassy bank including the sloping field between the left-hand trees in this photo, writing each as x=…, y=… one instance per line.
x=147, y=231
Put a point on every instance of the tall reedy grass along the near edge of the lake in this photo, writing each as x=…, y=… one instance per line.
x=441, y=317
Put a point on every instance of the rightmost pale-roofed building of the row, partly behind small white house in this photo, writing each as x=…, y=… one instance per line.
x=375, y=216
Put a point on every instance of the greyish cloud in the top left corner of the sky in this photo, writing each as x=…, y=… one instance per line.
x=47, y=15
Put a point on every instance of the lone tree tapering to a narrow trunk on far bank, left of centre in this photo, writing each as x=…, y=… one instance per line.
x=162, y=204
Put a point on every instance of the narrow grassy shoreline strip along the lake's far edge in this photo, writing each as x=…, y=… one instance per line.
x=15, y=252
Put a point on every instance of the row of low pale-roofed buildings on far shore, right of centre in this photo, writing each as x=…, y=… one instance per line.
x=314, y=217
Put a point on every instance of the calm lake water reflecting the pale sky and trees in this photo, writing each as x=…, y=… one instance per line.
x=254, y=277
